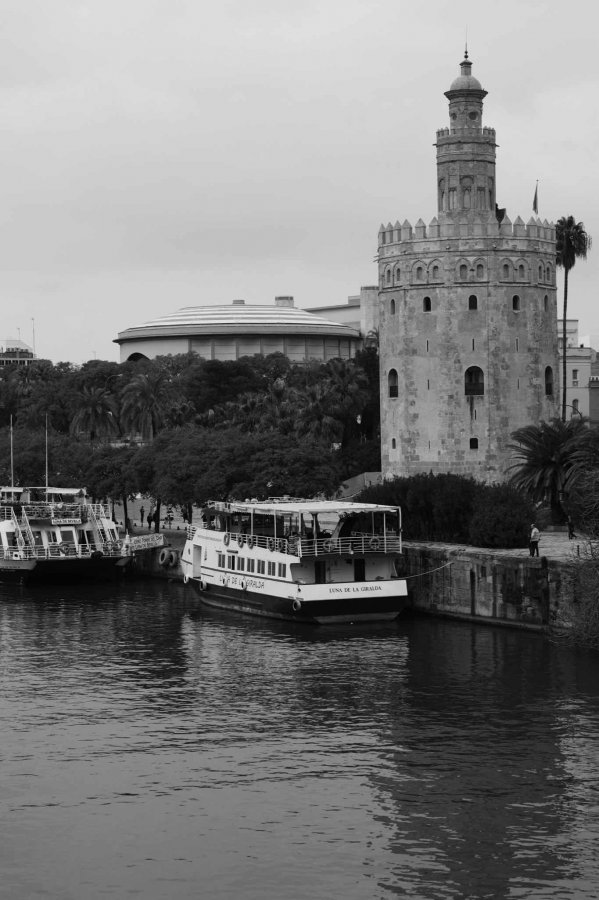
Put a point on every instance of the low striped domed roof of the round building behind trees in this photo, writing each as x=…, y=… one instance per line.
x=236, y=319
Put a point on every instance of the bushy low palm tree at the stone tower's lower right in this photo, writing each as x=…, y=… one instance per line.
x=544, y=457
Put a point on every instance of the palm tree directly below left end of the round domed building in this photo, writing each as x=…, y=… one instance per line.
x=146, y=403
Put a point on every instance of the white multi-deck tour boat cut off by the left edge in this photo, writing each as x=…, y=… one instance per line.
x=55, y=534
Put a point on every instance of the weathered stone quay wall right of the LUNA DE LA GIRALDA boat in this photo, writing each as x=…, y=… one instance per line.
x=482, y=586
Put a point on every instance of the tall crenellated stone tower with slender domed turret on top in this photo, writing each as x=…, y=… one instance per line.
x=467, y=314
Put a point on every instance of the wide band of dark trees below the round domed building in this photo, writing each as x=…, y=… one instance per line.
x=182, y=429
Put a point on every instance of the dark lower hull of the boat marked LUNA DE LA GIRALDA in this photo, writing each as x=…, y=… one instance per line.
x=321, y=611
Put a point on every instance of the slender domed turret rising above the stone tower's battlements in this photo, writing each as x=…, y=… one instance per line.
x=466, y=152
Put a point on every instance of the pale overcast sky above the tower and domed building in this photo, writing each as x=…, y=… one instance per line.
x=157, y=154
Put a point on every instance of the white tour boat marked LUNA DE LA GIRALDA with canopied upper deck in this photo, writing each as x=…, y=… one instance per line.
x=306, y=560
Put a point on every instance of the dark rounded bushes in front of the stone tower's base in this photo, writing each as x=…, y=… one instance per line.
x=455, y=509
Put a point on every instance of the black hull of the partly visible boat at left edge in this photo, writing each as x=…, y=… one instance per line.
x=62, y=570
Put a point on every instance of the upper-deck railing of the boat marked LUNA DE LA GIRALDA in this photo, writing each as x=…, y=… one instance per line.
x=294, y=545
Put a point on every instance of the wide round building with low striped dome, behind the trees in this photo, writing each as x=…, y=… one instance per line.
x=230, y=332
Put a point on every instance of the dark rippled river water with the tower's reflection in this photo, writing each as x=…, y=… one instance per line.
x=151, y=749
